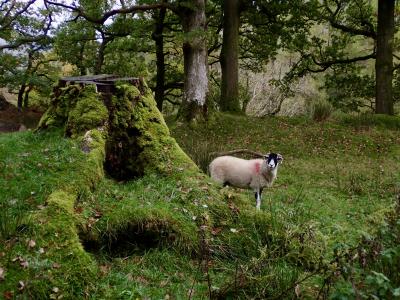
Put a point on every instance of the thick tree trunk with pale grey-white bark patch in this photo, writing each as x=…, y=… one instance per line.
x=195, y=62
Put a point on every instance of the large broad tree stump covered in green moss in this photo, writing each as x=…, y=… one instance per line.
x=137, y=140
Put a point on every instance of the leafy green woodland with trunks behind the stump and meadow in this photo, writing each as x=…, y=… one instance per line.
x=176, y=45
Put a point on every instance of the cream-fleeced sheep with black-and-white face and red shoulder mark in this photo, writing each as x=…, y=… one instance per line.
x=254, y=173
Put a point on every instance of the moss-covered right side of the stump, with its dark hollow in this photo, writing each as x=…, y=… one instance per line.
x=140, y=141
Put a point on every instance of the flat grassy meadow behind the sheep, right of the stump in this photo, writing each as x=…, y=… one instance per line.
x=341, y=174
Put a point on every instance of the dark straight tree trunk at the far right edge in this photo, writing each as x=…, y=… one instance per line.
x=384, y=57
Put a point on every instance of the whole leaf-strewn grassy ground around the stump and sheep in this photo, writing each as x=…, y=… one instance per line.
x=163, y=237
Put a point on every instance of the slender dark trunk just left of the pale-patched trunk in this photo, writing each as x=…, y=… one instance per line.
x=160, y=59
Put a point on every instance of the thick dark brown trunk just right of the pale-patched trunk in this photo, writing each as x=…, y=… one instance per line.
x=229, y=57
